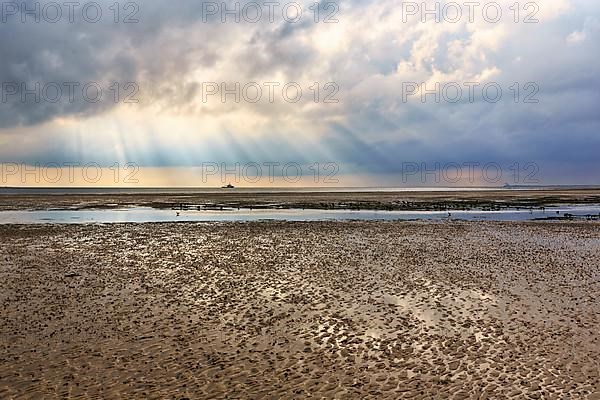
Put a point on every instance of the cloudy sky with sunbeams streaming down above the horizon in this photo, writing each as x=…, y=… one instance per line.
x=346, y=93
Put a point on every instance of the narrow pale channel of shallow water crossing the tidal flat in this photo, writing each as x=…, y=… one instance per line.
x=145, y=214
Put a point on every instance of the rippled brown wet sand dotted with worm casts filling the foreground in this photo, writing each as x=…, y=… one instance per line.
x=429, y=310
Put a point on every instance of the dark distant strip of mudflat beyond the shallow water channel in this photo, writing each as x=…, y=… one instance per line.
x=418, y=200
